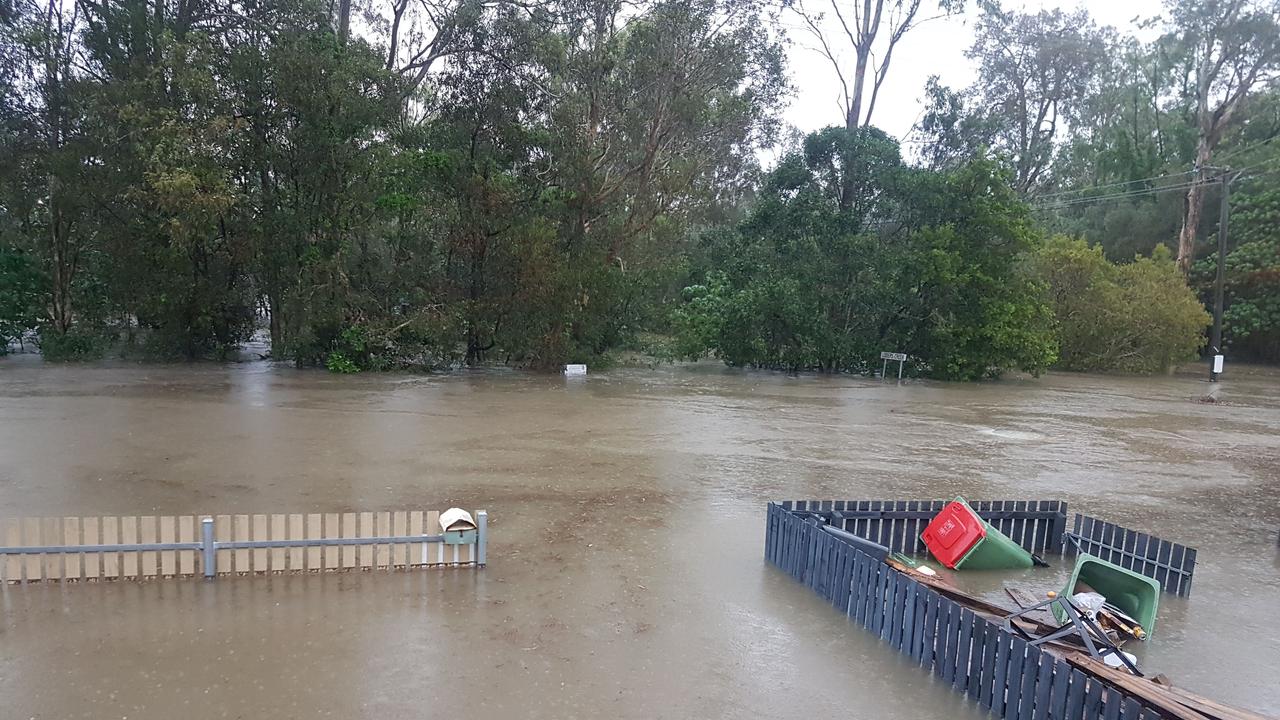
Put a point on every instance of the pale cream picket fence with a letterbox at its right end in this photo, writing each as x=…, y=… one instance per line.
x=107, y=549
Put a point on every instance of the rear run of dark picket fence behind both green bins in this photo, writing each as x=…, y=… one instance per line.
x=1037, y=526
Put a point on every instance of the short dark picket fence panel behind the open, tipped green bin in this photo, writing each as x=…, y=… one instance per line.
x=1169, y=563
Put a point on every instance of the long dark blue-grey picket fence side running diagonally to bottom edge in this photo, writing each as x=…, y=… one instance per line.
x=977, y=658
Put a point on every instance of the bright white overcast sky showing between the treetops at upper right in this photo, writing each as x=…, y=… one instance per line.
x=935, y=48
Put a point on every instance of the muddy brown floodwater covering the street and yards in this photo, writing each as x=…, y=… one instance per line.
x=627, y=514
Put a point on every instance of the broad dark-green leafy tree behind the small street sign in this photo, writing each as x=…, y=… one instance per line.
x=927, y=265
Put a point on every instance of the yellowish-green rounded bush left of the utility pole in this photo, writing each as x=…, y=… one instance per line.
x=1136, y=318
